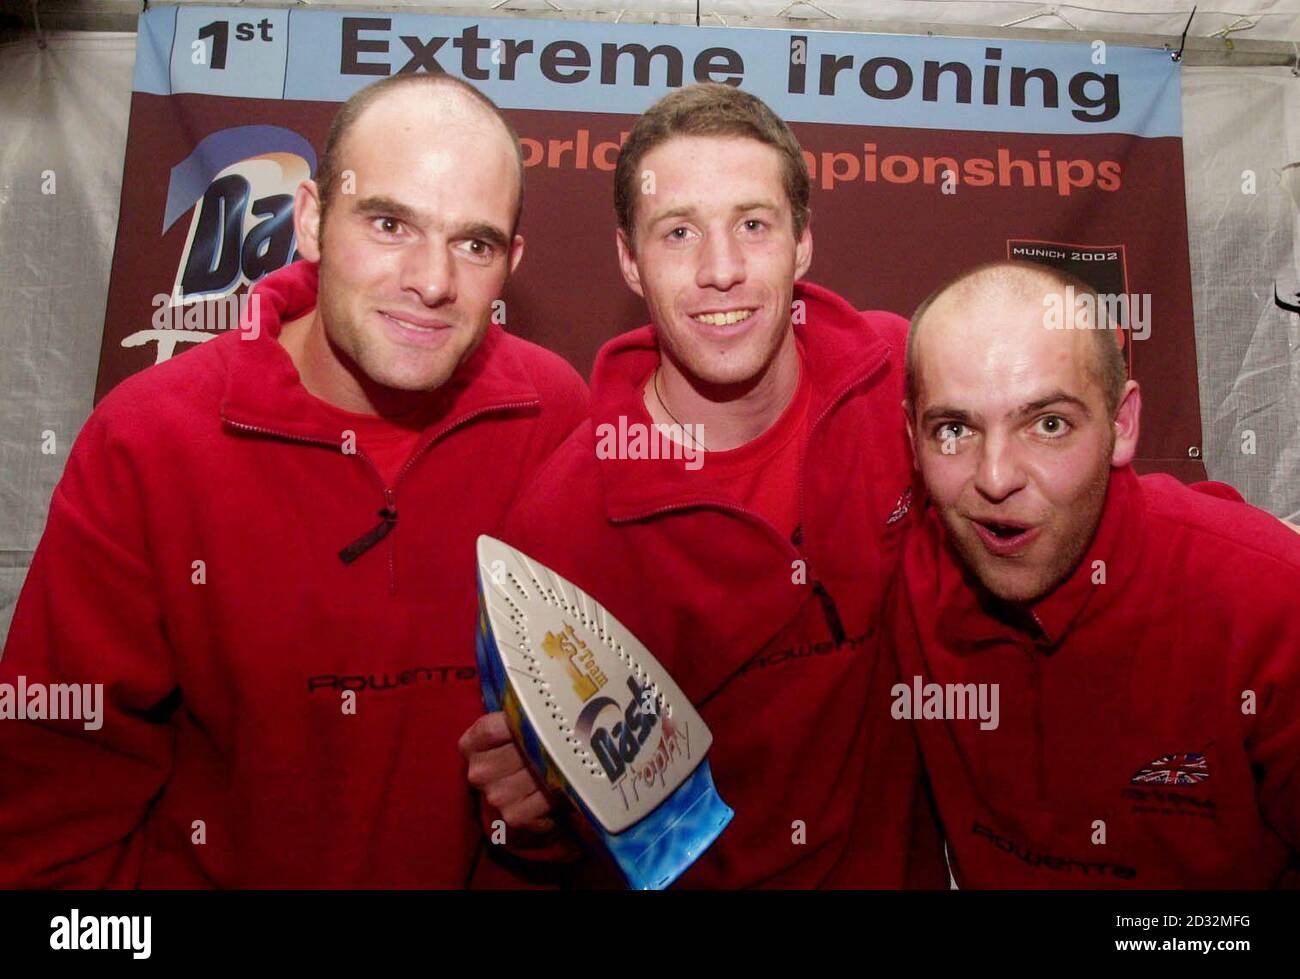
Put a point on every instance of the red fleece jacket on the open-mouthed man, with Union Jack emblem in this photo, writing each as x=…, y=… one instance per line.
x=1150, y=724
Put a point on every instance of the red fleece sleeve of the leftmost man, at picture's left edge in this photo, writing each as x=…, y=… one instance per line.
x=75, y=792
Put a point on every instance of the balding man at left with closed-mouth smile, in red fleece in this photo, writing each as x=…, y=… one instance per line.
x=285, y=673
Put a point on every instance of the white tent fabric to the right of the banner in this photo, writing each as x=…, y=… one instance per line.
x=1241, y=127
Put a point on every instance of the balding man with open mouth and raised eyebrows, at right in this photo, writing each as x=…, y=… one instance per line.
x=1104, y=668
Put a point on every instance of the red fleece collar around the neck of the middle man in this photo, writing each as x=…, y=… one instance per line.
x=840, y=353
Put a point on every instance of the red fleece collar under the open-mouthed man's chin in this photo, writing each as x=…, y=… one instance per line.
x=970, y=617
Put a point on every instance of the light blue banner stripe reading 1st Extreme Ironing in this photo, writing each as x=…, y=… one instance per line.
x=864, y=80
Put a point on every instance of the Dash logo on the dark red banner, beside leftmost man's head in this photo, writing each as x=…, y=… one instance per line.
x=239, y=192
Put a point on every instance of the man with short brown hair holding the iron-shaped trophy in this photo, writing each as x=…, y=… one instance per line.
x=756, y=577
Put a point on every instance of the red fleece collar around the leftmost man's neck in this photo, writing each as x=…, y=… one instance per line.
x=266, y=395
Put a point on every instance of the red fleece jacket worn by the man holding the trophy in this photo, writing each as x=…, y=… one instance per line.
x=774, y=640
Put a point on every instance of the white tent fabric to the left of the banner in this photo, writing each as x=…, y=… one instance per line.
x=64, y=111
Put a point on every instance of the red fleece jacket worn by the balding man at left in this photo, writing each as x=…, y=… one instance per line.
x=192, y=565
